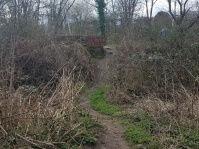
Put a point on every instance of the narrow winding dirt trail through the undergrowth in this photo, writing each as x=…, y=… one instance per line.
x=112, y=137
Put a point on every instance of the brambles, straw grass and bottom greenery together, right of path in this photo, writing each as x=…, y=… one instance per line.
x=158, y=90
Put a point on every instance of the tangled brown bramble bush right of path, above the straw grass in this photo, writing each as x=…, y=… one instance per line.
x=156, y=67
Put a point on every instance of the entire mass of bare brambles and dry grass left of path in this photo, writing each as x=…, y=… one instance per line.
x=42, y=111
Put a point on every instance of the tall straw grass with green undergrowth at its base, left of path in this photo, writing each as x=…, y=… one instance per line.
x=49, y=126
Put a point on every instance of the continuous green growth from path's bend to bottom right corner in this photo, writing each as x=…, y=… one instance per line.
x=144, y=131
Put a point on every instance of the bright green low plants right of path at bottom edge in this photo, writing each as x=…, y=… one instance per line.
x=140, y=131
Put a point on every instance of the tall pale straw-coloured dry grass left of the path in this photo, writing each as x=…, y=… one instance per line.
x=18, y=112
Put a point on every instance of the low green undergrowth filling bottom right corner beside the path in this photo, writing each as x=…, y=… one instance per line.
x=143, y=131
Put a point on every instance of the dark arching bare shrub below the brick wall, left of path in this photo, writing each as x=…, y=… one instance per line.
x=39, y=61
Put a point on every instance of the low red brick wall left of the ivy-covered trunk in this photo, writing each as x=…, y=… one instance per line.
x=90, y=41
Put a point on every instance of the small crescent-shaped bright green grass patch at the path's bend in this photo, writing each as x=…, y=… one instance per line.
x=99, y=103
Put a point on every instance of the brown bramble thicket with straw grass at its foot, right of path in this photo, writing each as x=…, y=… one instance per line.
x=157, y=73
